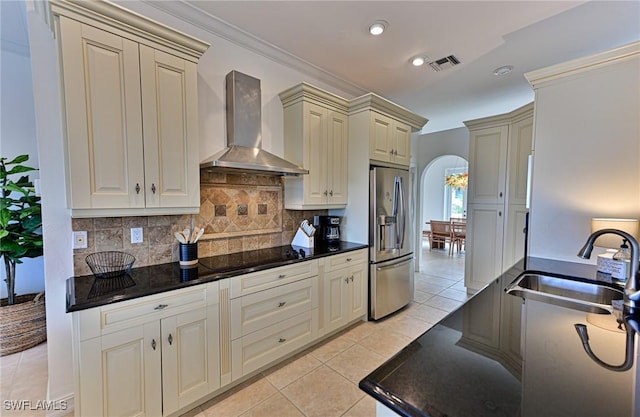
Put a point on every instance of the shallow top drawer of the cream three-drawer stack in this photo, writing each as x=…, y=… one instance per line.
x=259, y=281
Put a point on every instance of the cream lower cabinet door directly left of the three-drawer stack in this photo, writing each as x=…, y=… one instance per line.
x=190, y=359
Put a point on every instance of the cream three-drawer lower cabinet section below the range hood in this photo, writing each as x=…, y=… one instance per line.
x=272, y=314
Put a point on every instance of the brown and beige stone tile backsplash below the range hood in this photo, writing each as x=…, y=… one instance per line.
x=238, y=212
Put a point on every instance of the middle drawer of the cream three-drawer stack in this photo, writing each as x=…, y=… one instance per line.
x=259, y=310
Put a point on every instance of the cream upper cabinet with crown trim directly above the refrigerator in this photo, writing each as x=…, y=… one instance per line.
x=385, y=126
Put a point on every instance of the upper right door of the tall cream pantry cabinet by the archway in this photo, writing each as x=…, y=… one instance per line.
x=520, y=137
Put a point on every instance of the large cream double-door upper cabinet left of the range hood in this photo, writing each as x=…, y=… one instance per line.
x=130, y=112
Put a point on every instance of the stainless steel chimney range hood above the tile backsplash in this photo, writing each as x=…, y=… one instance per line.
x=244, y=153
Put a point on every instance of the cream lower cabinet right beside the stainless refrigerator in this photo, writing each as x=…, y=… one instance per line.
x=345, y=289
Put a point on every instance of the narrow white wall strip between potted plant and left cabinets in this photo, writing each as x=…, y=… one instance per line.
x=56, y=222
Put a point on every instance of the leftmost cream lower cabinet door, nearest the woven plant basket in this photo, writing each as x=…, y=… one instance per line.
x=120, y=373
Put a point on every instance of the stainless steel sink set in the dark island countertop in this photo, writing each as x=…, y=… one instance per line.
x=574, y=293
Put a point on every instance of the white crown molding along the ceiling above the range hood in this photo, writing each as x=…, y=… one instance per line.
x=218, y=27
